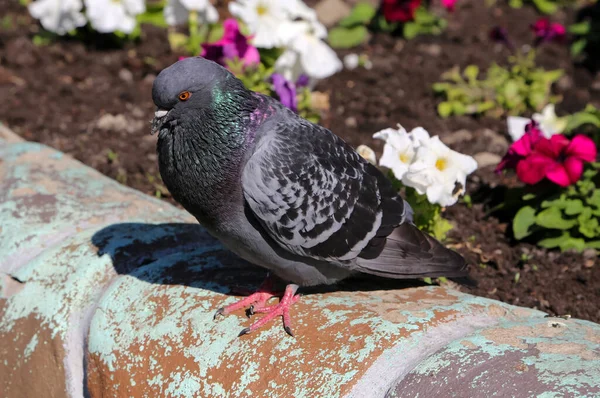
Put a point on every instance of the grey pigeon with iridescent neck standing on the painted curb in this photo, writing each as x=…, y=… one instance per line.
x=281, y=192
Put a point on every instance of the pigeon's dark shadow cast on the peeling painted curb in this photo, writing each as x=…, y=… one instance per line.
x=186, y=254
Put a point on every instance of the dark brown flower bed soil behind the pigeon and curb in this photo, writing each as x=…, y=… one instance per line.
x=93, y=101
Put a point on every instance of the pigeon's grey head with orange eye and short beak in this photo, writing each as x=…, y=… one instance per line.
x=185, y=86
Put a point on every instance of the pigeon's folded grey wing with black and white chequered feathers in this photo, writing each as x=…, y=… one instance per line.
x=317, y=198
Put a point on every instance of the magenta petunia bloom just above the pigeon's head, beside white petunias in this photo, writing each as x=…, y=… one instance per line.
x=233, y=45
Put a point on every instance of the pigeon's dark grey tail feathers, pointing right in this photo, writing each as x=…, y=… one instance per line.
x=410, y=253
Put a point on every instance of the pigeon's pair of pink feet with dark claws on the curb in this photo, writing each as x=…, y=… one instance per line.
x=257, y=304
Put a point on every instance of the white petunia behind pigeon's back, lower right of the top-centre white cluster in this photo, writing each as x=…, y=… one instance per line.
x=316, y=58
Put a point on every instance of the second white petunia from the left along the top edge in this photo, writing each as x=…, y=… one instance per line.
x=107, y=16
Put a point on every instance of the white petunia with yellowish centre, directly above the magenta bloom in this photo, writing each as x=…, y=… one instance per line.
x=263, y=18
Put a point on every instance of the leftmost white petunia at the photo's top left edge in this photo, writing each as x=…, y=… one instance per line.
x=58, y=16
